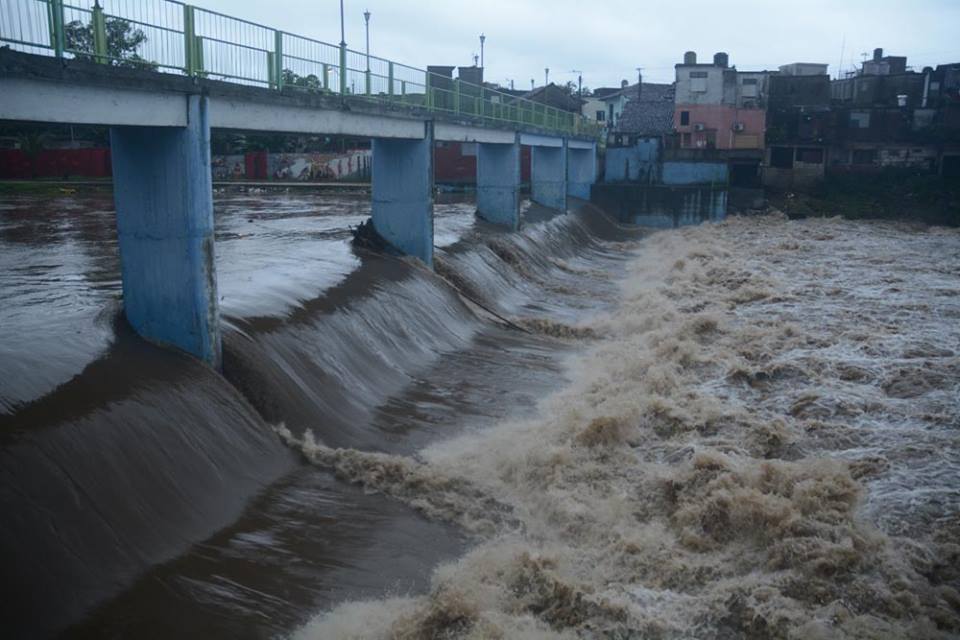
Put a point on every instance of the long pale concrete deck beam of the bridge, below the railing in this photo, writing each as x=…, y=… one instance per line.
x=44, y=89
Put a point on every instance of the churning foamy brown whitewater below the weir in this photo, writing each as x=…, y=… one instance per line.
x=760, y=441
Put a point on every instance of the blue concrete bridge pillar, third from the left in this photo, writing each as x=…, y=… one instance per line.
x=498, y=183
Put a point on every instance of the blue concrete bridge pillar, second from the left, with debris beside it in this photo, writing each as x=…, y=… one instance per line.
x=403, y=194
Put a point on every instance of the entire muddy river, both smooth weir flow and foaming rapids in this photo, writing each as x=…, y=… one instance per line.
x=746, y=429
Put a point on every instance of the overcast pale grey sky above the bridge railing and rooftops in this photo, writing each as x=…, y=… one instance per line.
x=608, y=39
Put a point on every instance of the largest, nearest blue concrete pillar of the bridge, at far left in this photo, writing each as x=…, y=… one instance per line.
x=164, y=200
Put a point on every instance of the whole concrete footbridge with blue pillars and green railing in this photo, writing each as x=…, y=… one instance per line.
x=160, y=142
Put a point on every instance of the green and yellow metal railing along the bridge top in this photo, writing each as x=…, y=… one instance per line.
x=171, y=36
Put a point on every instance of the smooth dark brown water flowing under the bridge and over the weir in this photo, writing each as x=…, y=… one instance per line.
x=147, y=496
